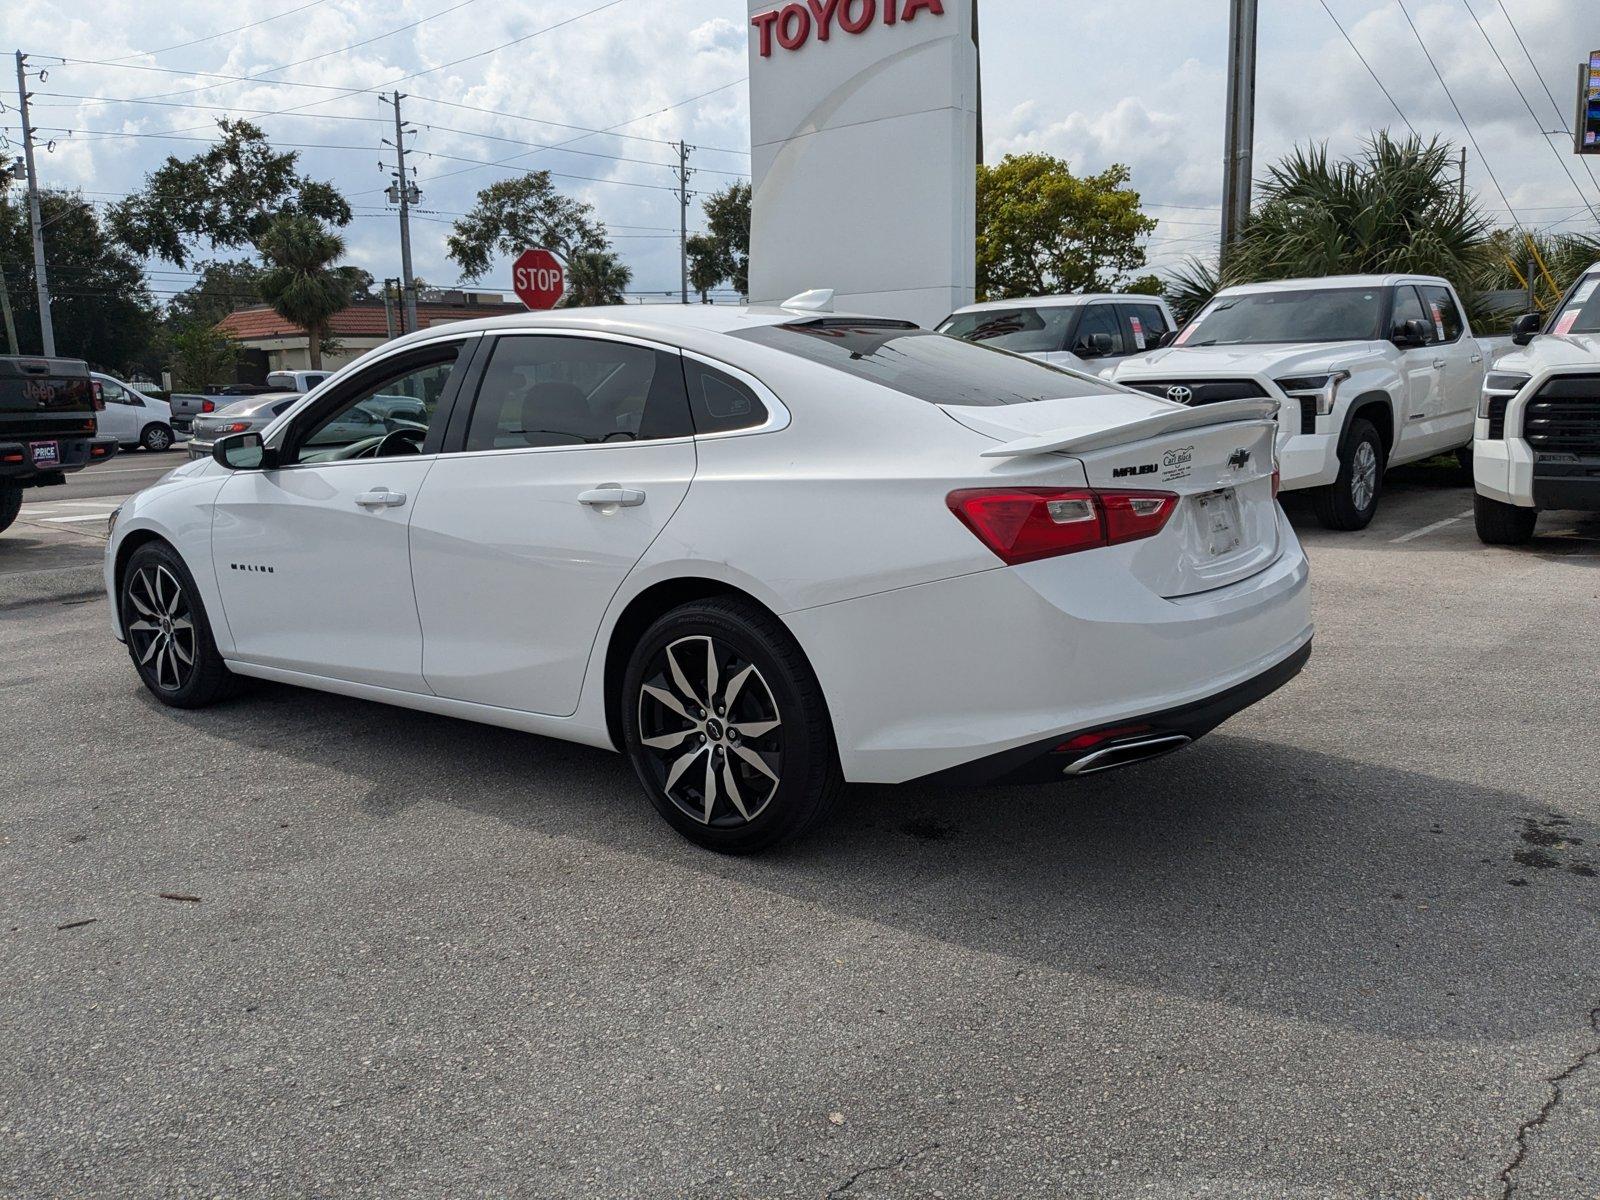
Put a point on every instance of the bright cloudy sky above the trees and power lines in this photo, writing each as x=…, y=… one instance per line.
x=596, y=90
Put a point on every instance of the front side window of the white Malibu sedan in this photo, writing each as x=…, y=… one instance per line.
x=386, y=412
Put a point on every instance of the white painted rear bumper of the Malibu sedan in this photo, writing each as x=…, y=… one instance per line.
x=921, y=681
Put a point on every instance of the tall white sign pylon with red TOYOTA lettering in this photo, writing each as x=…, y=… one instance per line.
x=865, y=138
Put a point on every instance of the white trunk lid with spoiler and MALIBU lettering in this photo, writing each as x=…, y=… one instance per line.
x=1217, y=460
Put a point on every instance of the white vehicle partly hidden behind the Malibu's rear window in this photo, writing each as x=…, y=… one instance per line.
x=1087, y=334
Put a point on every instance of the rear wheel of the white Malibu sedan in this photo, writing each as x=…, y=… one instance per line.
x=727, y=727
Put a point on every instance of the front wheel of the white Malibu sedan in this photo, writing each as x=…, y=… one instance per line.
x=169, y=634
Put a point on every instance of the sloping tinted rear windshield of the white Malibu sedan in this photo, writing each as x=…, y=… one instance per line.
x=927, y=366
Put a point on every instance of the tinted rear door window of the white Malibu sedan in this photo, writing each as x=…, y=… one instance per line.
x=558, y=391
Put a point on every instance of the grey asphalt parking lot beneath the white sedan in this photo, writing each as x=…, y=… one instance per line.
x=1348, y=946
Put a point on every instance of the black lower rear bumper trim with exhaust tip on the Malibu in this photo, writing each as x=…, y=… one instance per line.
x=1134, y=740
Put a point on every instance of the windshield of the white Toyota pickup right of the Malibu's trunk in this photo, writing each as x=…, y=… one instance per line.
x=1314, y=316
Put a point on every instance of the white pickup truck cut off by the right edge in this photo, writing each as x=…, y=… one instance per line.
x=1538, y=438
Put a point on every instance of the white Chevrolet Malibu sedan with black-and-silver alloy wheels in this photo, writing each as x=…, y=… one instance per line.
x=759, y=551
